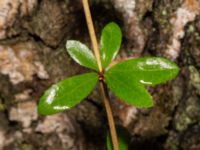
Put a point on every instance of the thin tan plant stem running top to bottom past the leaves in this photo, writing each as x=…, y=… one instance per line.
x=103, y=86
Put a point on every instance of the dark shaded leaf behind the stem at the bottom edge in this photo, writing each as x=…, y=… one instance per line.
x=123, y=139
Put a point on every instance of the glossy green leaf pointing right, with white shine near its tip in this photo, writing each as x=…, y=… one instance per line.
x=146, y=70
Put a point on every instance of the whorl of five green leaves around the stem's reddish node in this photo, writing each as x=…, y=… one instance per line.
x=127, y=79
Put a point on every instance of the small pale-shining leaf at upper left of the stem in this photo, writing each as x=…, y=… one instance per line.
x=81, y=54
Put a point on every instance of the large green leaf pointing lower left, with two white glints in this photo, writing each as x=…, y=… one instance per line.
x=67, y=93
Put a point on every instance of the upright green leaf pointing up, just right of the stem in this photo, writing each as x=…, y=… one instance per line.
x=111, y=38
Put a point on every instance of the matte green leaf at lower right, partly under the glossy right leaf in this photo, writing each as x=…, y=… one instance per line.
x=128, y=90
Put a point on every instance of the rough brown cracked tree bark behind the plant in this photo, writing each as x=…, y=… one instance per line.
x=33, y=56
